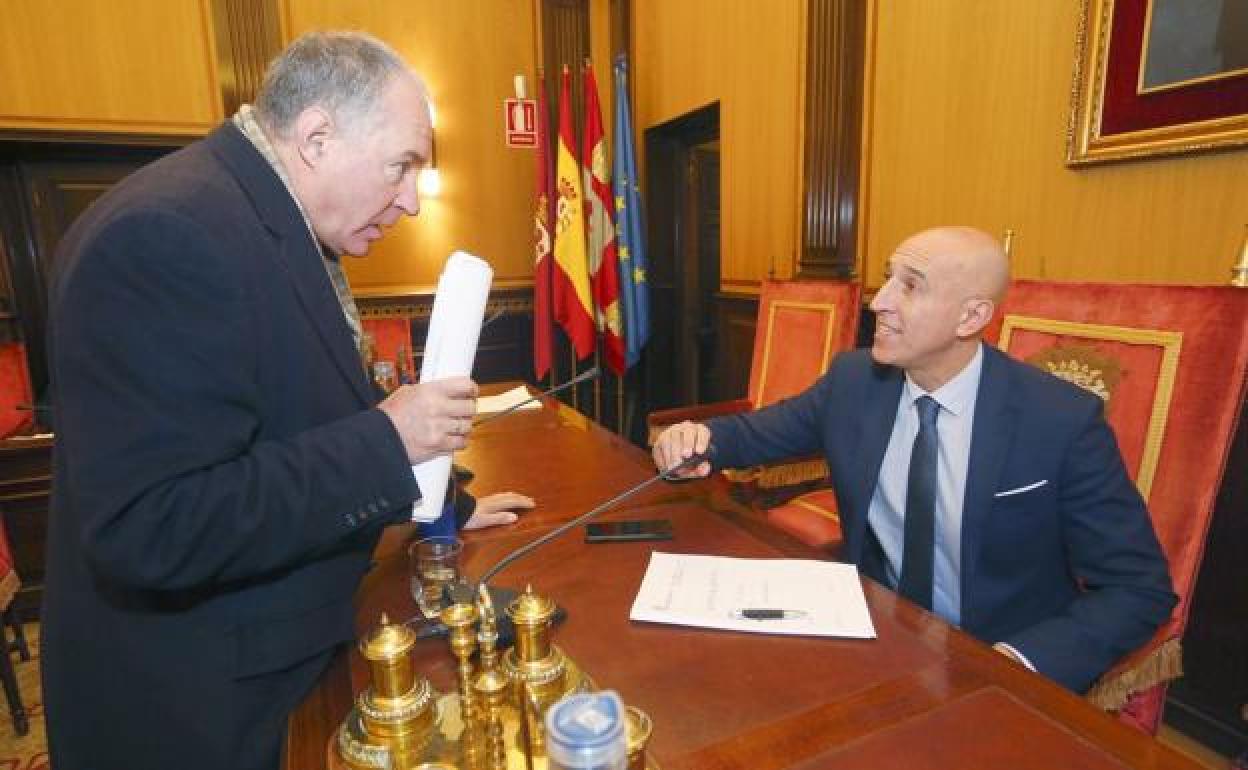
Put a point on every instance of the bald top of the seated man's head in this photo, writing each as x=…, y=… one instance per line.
x=973, y=261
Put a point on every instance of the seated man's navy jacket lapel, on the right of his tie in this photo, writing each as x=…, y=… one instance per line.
x=993, y=436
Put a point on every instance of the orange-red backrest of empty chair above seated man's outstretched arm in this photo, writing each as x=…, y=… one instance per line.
x=802, y=325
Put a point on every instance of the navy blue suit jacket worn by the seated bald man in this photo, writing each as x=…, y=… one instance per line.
x=1070, y=573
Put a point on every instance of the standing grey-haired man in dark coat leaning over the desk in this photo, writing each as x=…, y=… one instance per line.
x=223, y=470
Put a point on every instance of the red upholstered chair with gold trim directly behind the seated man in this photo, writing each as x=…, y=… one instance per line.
x=1170, y=363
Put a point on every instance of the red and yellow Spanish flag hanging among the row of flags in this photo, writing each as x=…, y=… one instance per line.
x=573, y=305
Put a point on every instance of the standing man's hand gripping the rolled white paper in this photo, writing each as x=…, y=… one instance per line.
x=435, y=417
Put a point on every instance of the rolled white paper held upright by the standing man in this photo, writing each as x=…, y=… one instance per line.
x=450, y=351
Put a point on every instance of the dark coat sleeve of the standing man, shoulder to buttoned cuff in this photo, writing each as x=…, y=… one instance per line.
x=157, y=351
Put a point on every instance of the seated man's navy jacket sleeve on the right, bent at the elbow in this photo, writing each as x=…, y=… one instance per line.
x=1114, y=553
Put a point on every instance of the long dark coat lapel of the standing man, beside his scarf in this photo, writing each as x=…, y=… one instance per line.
x=296, y=253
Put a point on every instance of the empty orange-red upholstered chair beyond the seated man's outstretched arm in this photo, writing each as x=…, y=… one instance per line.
x=801, y=326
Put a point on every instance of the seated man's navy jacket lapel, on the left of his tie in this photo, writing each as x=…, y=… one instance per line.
x=879, y=414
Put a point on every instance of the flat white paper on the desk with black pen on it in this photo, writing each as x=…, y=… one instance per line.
x=706, y=592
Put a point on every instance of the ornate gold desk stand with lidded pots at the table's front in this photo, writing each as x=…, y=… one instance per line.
x=496, y=719
